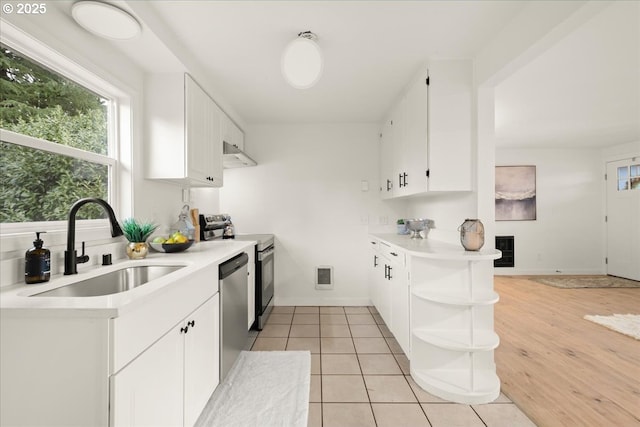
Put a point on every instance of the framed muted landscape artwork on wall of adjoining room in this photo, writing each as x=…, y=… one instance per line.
x=515, y=193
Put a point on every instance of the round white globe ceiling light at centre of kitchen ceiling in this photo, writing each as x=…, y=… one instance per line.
x=302, y=61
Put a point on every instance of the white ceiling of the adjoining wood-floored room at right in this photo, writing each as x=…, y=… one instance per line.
x=582, y=92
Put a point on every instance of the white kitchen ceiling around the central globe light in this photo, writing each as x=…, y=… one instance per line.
x=371, y=49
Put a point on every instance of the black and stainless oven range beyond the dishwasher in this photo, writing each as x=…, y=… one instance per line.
x=265, y=261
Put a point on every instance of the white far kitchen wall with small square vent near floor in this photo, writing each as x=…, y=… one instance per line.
x=307, y=191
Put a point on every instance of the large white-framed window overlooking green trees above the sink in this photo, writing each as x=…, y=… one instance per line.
x=55, y=142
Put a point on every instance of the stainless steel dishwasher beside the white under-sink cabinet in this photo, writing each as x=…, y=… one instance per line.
x=233, y=310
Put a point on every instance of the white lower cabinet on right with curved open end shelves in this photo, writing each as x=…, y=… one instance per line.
x=437, y=299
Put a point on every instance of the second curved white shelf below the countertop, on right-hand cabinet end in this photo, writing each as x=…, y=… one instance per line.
x=459, y=339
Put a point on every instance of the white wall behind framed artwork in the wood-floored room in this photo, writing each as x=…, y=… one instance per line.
x=567, y=236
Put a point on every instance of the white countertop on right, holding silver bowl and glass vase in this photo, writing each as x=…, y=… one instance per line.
x=434, y=249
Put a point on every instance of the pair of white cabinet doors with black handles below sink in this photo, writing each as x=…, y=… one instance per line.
x=171, y=382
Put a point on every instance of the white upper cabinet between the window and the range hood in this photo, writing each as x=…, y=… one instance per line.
x=184, y=135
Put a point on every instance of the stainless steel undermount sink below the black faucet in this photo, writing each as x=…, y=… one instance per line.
x=113, y=282
